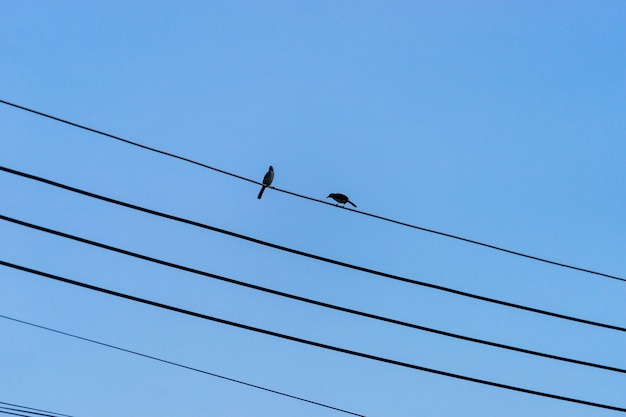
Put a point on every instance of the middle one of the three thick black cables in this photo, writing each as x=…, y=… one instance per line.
x=306, y=300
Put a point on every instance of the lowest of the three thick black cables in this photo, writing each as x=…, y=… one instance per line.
x=310, y=342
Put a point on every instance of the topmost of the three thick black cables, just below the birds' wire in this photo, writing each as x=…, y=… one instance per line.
x=309, y=255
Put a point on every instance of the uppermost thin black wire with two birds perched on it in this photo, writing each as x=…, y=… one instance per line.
x=387, y=219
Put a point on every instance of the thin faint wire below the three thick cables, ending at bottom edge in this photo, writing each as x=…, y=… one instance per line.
x=143, y=355
